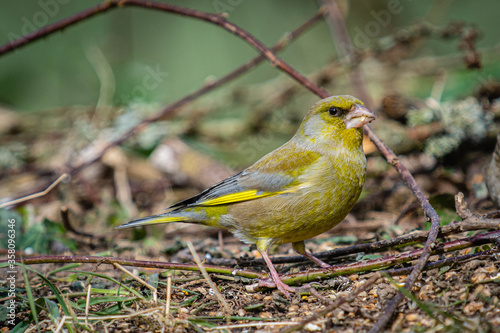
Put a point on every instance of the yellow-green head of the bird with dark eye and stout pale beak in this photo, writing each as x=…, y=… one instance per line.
x=336, y=118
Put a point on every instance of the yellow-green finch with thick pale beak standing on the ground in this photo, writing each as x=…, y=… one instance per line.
x=296, y=192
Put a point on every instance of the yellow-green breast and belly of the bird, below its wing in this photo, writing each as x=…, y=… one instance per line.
x=320, y=199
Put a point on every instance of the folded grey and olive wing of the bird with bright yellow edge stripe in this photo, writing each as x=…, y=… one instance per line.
x=274, y=174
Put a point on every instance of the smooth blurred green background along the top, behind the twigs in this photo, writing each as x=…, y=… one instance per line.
x=130, y=43
